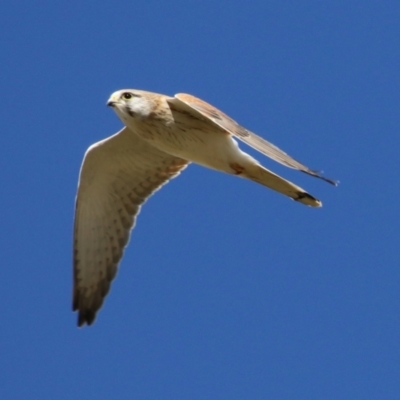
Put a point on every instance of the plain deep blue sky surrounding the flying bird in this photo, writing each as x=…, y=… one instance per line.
x=227, y=290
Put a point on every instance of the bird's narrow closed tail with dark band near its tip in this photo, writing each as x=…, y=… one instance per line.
x=263, y=176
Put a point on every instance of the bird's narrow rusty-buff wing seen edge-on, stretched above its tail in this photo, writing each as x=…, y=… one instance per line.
x=198, y=107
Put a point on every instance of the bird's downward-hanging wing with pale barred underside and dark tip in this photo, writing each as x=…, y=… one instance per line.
x=117, y=175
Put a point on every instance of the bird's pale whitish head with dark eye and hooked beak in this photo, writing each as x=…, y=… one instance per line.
x=129, y=103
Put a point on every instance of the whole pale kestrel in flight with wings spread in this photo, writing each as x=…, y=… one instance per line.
x=160, y=137
